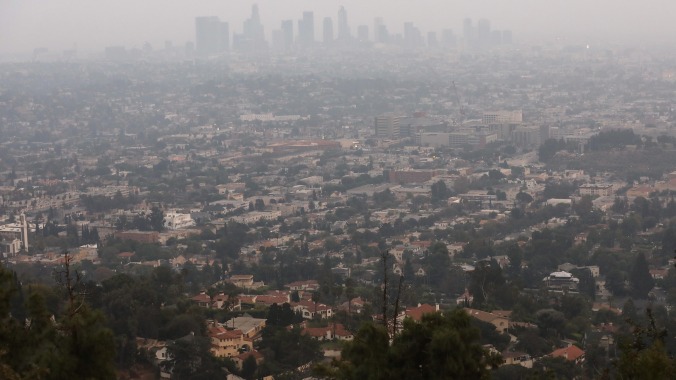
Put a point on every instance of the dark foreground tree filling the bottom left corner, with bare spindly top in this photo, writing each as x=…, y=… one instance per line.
x=76, y=346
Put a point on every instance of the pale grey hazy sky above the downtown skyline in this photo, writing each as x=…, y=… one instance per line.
x=94, y=24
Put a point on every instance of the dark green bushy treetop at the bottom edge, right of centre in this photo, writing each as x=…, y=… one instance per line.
x=437, y=347
